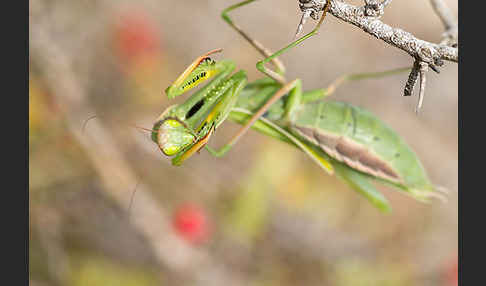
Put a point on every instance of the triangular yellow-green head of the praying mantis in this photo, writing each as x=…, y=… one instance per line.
x=173, y=136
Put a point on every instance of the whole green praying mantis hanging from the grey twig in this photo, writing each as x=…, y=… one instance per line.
x=342, y=139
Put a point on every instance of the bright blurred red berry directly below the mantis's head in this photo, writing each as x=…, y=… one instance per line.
x=190, y=223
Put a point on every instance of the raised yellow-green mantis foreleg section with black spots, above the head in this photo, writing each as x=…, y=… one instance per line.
x=197, y=72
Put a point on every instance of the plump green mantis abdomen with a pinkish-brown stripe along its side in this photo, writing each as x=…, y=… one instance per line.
x=357, y=138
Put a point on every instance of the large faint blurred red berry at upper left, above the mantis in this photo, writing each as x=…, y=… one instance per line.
x=136, y=37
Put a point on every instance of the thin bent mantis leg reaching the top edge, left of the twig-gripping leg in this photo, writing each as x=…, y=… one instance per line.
x=257, y=45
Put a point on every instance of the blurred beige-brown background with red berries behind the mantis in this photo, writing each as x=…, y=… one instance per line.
x=262, y=215
